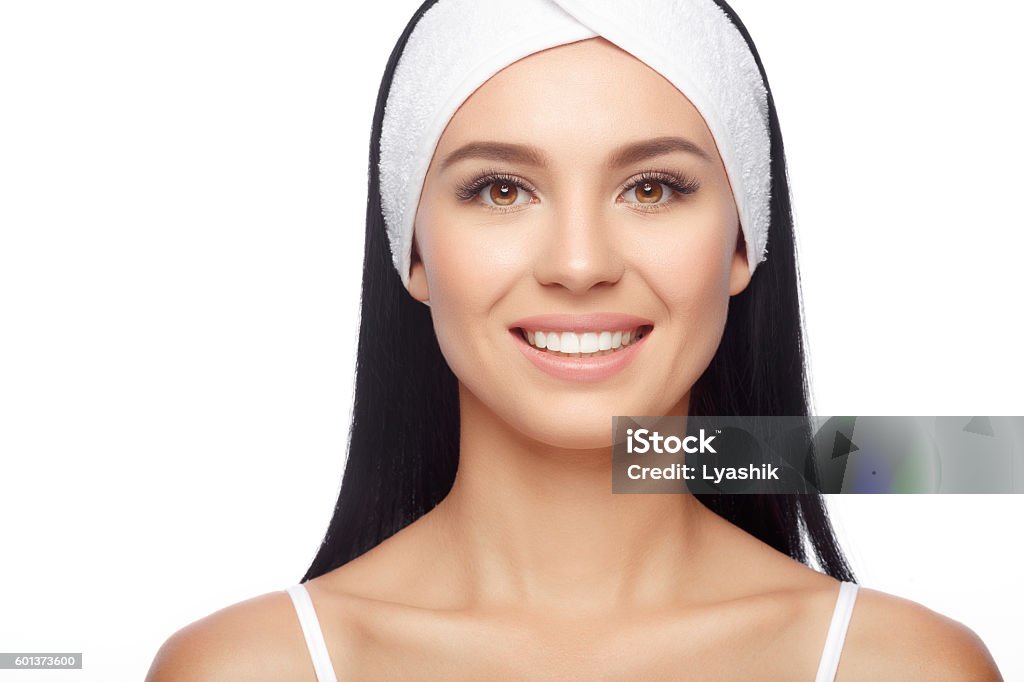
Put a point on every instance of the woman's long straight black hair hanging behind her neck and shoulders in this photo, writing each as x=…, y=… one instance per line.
x=404, y=441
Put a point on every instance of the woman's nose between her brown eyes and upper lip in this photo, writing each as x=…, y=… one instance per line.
x=580, y=250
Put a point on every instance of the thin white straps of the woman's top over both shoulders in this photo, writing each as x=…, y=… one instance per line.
x=325, y=670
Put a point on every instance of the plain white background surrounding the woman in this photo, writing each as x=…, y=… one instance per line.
x=183, y=192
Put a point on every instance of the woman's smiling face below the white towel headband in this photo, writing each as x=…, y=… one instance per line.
x=612, y=198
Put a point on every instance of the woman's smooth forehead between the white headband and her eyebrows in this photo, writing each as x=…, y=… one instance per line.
x=589, y=92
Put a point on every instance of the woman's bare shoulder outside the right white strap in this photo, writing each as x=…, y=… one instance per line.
x=892, y=638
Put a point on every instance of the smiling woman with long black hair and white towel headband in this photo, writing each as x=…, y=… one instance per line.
x=587, y=248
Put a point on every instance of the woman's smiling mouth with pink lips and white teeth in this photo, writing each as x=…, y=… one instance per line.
x=582, y=348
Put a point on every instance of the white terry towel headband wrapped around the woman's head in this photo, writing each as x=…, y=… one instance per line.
x=458, y=46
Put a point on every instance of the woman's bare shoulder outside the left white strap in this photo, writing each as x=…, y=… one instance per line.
x=258, y=640
